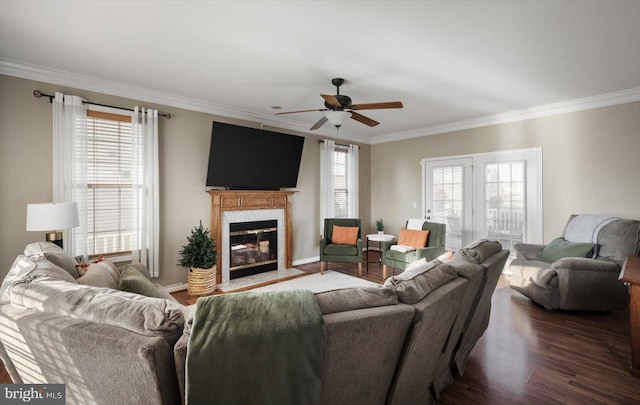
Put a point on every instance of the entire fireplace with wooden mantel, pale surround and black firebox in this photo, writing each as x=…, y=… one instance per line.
x=242, y=208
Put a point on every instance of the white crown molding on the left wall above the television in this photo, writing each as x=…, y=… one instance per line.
x=90, y=83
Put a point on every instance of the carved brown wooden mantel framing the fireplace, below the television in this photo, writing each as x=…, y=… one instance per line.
x=234, y=200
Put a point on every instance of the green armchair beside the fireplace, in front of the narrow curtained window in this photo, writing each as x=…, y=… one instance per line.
x=340, y=253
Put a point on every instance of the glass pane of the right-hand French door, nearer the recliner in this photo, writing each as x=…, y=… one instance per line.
x=505, y=202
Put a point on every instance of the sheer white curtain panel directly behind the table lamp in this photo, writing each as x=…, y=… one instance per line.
x=70, y=164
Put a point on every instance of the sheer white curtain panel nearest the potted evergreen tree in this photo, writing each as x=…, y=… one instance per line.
x=145, y=238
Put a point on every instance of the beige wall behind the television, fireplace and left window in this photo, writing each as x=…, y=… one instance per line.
x=25, y=164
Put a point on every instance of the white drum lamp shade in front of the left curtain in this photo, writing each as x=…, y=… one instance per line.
x=52, y=216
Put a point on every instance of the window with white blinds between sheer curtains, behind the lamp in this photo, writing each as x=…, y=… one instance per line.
x=109, y=183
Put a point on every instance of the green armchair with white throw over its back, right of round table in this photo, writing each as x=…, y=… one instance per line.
x=401, y=260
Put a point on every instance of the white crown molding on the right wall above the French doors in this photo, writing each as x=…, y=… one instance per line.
x=587, y=103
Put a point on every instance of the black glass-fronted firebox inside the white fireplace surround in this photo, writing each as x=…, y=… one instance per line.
x=253, y=247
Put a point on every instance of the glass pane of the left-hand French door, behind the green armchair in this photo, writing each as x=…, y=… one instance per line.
x=448, y=204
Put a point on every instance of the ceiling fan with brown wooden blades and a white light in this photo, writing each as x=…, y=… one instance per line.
x=339, y=108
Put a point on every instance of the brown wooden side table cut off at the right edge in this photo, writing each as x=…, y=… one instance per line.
x=630, y=275
